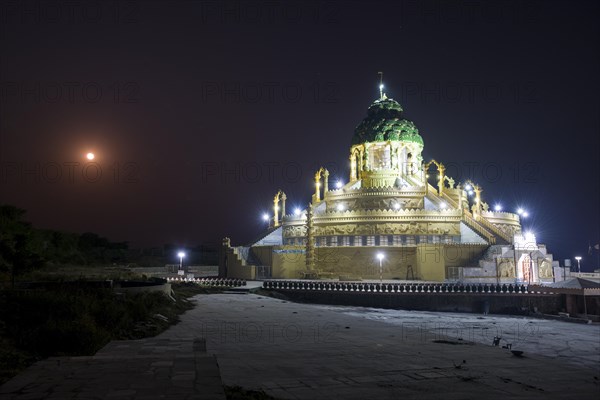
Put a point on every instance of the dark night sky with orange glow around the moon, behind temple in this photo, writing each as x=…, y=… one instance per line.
x=200, y=111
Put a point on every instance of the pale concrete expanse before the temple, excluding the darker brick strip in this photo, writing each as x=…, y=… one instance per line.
x=305, y=351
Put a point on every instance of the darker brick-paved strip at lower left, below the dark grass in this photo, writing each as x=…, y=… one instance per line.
x=148, y=369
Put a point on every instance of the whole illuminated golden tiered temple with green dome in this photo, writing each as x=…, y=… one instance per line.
x=388, y=221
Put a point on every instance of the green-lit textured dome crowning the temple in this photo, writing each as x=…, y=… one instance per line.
x=384, y=122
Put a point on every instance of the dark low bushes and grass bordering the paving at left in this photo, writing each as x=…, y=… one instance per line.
x=74, y=319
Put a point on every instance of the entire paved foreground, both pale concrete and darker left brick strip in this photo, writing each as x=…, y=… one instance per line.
x=303, y=351
